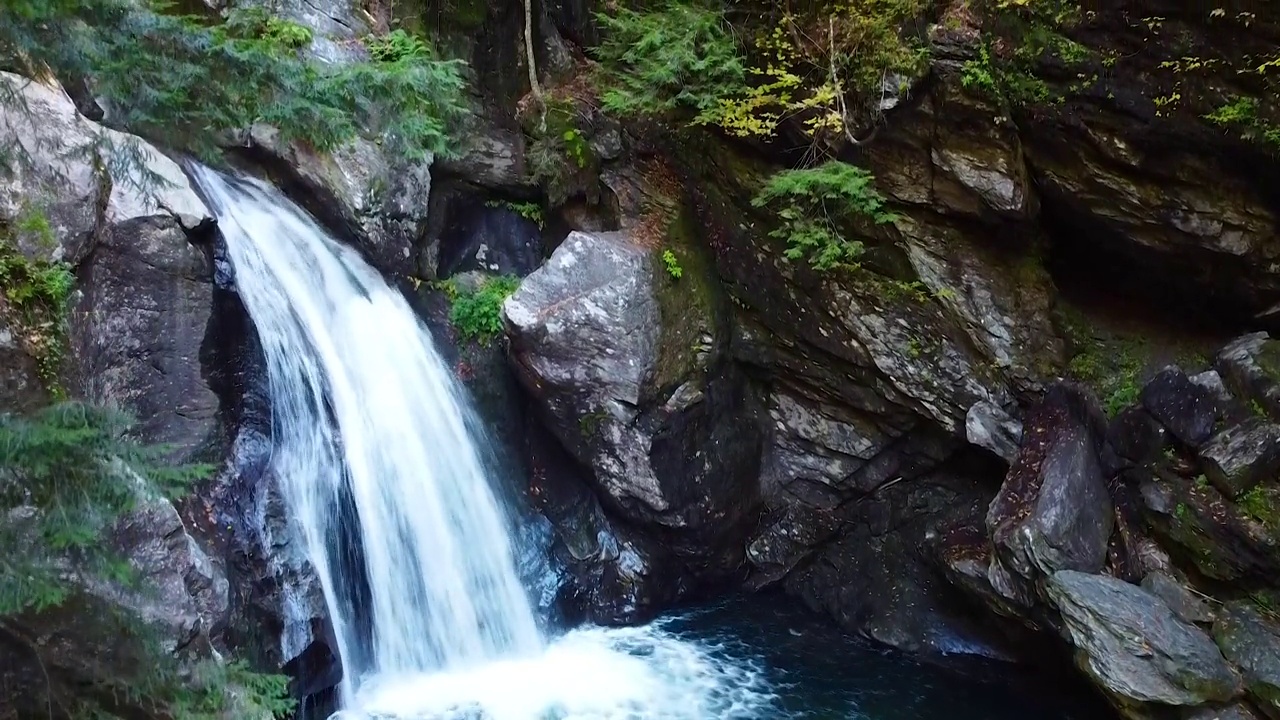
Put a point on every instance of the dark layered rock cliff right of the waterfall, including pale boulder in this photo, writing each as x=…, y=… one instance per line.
x=920, y=452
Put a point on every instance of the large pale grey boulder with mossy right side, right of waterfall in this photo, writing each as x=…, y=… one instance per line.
x=623, y=362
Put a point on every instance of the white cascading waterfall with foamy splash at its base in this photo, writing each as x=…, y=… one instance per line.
x=395, y=508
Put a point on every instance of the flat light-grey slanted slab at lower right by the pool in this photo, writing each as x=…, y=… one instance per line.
x=1135, y=648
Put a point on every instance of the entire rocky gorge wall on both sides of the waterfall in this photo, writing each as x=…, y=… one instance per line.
x=1040, y=418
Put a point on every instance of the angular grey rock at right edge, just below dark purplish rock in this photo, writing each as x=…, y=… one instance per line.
x=1241, y=457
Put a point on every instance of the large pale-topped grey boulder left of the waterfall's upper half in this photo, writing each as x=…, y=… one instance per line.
x=126, y=218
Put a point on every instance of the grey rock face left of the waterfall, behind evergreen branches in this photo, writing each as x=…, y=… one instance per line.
x=150, y=331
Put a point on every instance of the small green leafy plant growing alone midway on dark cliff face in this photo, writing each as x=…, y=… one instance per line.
x=812, y=203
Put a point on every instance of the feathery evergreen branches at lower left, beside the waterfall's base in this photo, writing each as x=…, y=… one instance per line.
x=72, y=466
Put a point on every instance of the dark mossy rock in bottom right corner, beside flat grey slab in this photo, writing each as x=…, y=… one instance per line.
x=1252, y=642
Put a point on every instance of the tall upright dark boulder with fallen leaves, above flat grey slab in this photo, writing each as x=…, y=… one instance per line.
x=1054, y=512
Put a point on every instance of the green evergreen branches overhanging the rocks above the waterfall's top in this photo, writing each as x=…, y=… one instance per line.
x=186, y=80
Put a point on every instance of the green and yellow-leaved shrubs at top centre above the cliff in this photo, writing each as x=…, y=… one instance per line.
x=824, y=65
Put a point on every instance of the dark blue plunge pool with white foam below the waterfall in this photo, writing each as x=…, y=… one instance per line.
x=746, y=659
